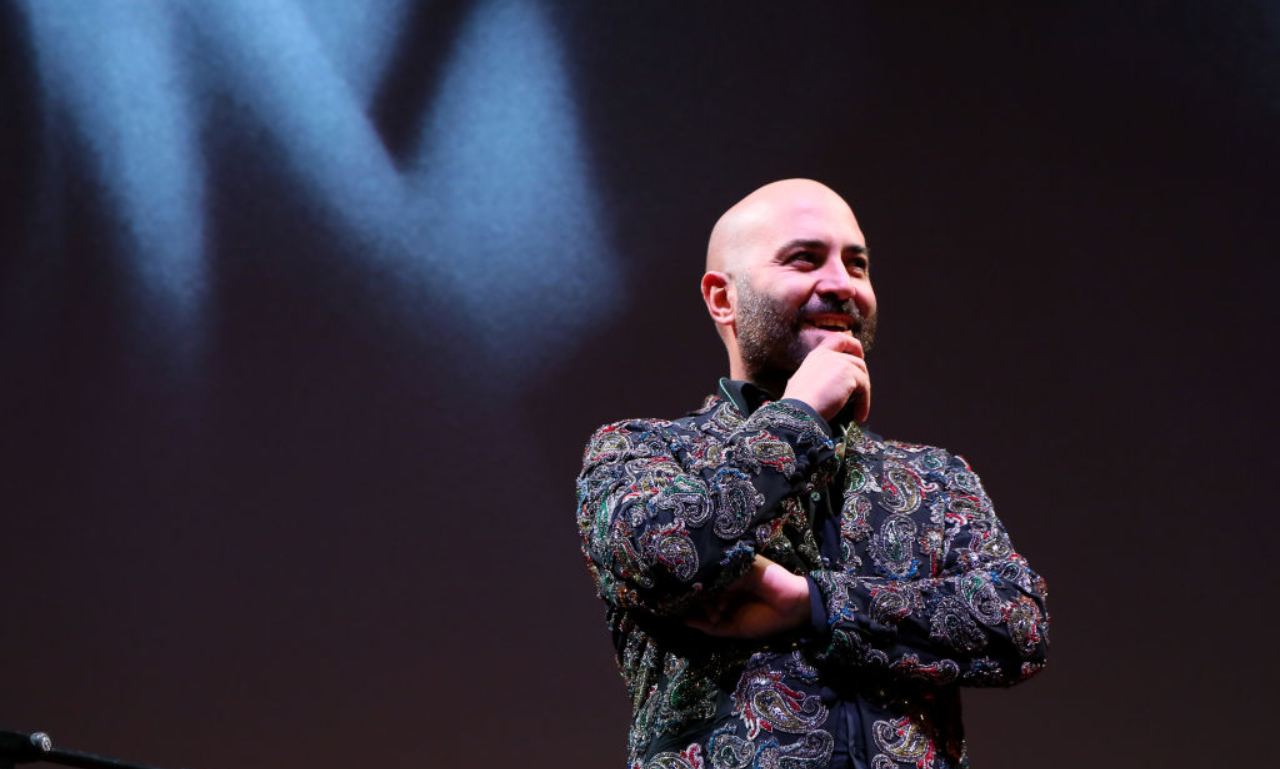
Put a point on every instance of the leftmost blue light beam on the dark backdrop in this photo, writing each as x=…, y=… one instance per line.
x=115, y=76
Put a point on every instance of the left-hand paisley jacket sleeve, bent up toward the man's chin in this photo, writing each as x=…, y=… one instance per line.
x=669, y=510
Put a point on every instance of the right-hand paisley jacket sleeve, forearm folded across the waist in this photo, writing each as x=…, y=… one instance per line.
x=980, y=620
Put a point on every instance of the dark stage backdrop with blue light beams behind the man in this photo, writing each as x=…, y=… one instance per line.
x=313, y=502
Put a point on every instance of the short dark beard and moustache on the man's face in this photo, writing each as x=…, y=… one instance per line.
x=769, y=335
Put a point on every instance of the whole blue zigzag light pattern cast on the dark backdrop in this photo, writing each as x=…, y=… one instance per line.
x=478, y=199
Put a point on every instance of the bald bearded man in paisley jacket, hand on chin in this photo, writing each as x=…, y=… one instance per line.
x=784, y=588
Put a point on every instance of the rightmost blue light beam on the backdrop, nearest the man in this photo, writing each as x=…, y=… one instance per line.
x=505, y=198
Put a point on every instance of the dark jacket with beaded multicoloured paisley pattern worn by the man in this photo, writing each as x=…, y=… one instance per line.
x=927, y=593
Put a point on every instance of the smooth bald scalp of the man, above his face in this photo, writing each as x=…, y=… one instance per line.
x=751, y=223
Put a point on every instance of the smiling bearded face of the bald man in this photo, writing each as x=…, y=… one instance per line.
x=806, y=276
